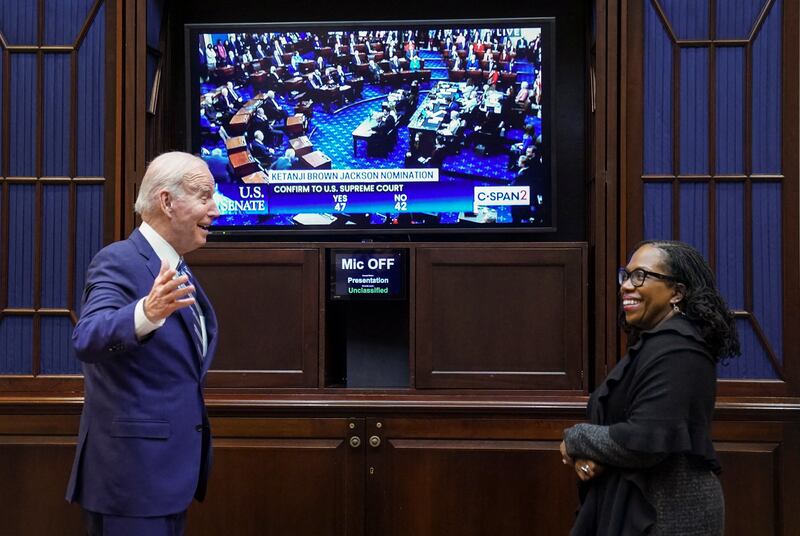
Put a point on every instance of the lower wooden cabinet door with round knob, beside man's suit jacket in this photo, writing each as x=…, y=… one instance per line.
x=292, y=476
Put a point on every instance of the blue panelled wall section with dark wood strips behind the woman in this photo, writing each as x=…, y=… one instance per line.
x=733, y=182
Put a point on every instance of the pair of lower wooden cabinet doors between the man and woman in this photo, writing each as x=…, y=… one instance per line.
x=393, y=475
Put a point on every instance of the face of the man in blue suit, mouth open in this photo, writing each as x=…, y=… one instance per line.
x=192, y=212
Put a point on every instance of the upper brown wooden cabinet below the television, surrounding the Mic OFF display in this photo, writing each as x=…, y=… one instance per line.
x=505, y=317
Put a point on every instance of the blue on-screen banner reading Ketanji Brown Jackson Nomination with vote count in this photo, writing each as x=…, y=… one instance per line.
x=362, y=191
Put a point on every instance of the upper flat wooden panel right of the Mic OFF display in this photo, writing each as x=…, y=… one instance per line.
x=501, y=317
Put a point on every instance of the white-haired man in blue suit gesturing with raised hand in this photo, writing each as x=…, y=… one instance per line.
x=146, y=337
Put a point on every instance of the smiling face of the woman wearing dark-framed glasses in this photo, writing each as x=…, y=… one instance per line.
x=650, y=304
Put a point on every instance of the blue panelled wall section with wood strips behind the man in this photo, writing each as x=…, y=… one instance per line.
x=39, y=179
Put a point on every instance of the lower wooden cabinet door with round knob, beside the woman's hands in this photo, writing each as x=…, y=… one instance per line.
x=467, y=476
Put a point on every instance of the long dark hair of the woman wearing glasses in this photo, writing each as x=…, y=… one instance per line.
x=702, y=303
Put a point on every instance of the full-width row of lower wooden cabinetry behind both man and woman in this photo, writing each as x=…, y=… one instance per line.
x=421, y=471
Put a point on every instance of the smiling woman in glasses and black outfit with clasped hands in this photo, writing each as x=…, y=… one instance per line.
x=646, y=462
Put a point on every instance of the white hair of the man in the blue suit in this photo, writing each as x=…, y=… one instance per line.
x=165, y=172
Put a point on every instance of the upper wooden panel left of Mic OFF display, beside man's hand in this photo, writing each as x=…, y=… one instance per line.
x=268, y=302
